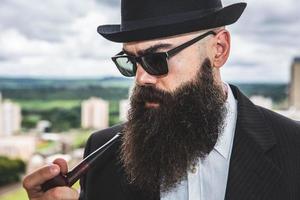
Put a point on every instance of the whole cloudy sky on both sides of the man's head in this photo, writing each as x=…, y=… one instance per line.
x=58, y=38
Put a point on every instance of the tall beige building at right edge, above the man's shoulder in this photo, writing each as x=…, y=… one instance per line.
x=294, y=93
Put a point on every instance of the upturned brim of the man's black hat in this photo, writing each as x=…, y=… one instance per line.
x=225, y=16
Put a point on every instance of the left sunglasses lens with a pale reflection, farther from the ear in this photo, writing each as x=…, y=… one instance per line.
x=125, y=66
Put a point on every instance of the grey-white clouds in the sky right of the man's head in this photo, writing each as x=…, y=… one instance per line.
x=267, y=37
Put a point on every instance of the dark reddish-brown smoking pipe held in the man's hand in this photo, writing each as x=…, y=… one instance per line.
x=79, y=170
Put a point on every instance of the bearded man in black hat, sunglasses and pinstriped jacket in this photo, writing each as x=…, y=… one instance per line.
x=189, y=135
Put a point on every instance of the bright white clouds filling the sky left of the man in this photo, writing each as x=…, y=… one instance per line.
x=70, y=47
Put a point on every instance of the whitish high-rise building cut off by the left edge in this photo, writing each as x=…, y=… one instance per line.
x=10, y=118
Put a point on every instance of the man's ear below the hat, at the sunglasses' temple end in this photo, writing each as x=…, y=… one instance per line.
x=222, y=48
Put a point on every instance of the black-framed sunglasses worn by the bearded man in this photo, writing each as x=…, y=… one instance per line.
x=153, y=63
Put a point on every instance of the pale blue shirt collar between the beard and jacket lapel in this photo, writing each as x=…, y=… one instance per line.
x=224, y=143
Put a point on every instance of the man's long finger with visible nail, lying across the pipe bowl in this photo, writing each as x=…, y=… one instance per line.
x=41, y=175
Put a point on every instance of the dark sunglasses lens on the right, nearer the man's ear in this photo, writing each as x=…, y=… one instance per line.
x=155, y=64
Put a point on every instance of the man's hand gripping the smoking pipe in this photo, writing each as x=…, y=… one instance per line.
x=32, y=183
